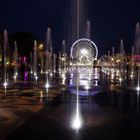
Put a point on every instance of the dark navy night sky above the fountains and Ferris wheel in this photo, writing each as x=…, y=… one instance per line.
x=111, y=20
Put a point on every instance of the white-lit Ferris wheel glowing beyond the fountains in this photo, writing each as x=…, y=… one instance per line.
x=84, y=51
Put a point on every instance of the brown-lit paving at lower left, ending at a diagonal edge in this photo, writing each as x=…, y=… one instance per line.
x=18, y=105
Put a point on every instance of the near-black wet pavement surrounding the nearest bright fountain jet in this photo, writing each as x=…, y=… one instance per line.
x=100, y=121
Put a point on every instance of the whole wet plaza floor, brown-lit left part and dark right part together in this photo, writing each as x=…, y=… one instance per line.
x=108, y=110
